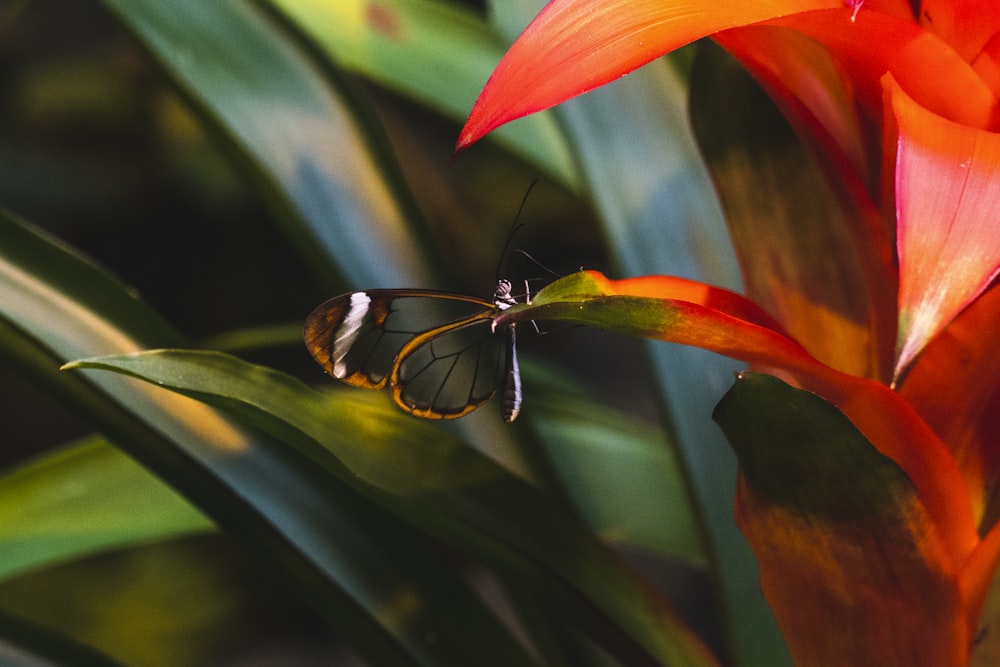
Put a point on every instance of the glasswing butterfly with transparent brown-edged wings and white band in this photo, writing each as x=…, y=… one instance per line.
x=437, y=351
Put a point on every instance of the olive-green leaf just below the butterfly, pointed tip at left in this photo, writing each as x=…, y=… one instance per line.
x=440, y=485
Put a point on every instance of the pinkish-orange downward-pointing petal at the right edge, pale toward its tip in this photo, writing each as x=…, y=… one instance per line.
x=947, y=197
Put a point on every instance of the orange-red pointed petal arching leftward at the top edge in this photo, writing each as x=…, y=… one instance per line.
x=574, y=46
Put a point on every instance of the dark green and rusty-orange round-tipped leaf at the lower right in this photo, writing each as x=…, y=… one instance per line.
x=816, y=501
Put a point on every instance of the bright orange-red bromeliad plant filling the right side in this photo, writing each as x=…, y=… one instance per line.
x=870, y=497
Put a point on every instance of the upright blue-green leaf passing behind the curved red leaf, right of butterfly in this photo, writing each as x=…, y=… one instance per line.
x=661, y=214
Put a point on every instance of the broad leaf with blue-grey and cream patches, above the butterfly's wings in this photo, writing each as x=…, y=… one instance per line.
x=295, y=130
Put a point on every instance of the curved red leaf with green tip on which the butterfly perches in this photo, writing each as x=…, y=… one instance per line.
x=680, y=311
